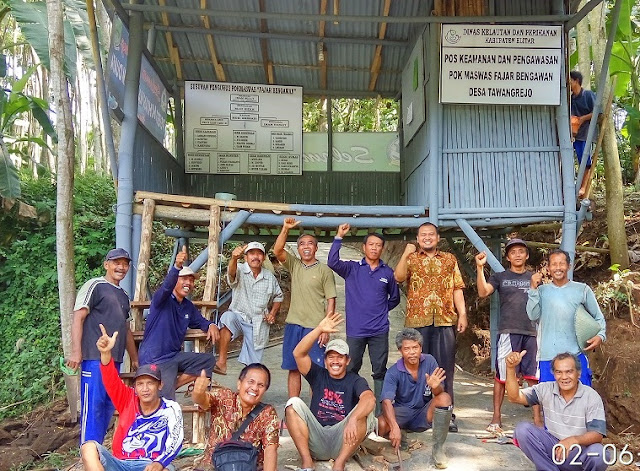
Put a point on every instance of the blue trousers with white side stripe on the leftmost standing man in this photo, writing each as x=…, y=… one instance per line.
x=96, y=407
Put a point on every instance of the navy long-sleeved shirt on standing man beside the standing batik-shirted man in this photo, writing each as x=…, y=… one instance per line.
x=370, y=294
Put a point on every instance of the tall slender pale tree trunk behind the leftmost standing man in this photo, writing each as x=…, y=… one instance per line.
x=64, y=178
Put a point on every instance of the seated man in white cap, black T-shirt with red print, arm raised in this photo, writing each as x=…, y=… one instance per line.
x=341, y=413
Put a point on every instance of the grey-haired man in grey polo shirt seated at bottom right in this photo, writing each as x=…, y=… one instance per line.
x=574, y=418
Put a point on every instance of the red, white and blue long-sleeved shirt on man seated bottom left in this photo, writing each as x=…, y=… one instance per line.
x=156, y=437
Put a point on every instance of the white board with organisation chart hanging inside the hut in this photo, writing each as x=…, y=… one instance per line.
x=243, y=128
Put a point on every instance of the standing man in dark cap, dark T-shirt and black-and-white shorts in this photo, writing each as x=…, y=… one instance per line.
x=516, y=332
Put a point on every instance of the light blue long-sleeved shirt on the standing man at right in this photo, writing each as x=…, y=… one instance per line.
x=555, y=307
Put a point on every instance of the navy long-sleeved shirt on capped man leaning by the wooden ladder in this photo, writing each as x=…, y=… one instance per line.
x=167, y=323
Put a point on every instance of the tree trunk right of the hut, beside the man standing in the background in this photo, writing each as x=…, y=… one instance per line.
x=612, y=171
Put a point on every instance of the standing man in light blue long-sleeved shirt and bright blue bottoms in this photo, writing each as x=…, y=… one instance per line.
x=554, y=306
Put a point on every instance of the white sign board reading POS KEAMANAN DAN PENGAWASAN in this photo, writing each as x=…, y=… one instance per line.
x=500, y=64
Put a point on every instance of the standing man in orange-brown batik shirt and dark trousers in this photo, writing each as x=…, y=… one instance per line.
x=435, y=300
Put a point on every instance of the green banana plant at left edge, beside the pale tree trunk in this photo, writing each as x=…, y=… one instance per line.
x=15, y=104
